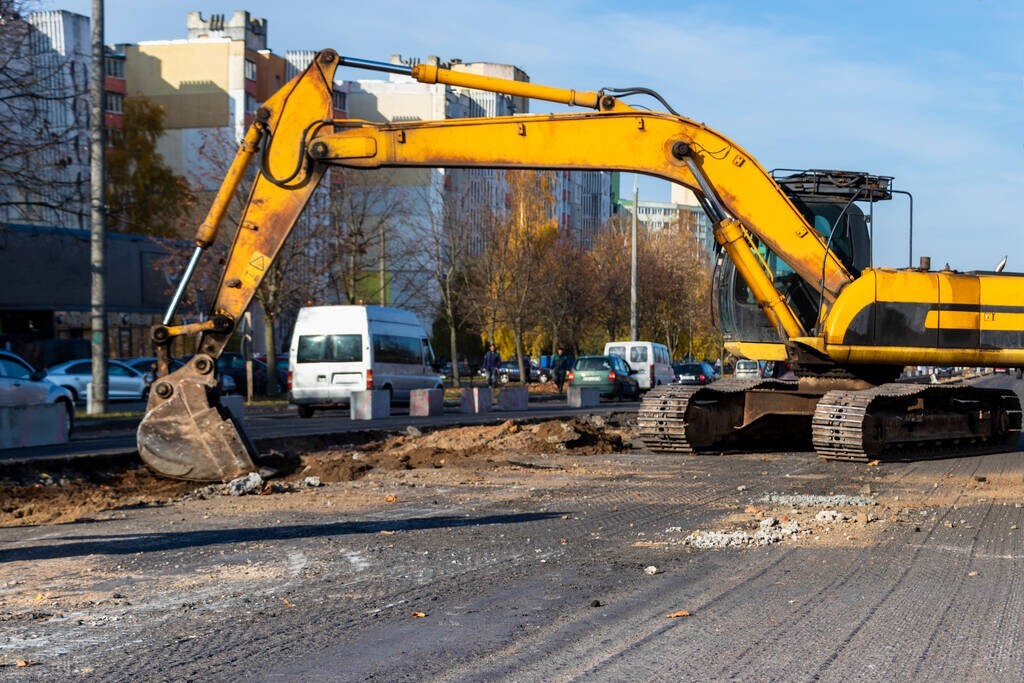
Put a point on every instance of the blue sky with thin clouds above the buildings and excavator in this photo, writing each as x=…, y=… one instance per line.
x=929, y=93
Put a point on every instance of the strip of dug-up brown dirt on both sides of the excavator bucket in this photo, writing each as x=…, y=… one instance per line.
x=51, y=496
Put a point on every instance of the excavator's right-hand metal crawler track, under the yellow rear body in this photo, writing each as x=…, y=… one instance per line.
x=912, y=421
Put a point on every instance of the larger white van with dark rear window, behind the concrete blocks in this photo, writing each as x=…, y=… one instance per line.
x=340, y=350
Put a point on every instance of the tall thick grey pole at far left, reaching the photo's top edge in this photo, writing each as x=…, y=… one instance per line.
x=98, y=217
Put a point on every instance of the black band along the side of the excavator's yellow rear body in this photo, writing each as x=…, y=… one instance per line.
x=902, y=324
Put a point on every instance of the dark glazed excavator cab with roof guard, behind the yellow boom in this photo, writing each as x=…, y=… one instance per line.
x=831, y=202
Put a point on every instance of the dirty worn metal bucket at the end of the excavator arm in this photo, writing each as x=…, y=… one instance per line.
x=188, y=435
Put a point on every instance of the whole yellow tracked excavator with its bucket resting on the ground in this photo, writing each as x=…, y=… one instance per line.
x=795, y=250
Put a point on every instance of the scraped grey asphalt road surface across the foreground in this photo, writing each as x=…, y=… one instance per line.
x=529, y=580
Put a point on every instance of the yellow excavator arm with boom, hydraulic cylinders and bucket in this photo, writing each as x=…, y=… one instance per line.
x=188, y=435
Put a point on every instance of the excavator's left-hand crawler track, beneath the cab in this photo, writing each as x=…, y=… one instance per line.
x=727, y=415
